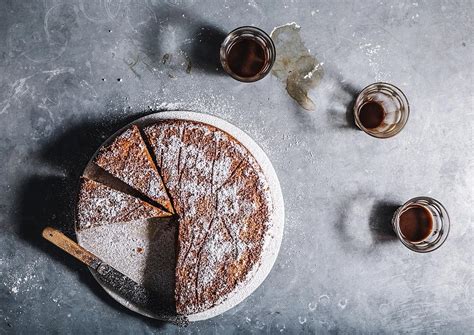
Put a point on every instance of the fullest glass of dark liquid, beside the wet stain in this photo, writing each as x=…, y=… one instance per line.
x=247, y=54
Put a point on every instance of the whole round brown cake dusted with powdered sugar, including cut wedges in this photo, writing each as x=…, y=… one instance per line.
x=221, y=202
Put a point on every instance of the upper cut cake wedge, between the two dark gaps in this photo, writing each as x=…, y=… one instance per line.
x=127, y=158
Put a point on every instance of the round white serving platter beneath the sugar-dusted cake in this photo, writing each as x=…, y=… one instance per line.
x=117, y=244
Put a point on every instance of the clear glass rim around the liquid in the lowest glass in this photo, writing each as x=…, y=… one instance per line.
x=411, y=246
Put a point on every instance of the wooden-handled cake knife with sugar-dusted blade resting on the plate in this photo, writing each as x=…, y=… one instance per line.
x=117, y=281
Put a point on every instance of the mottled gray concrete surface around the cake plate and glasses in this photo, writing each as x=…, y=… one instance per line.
x=339, y=270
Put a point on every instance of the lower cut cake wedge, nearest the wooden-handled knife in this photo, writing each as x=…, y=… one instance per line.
x=99, y=204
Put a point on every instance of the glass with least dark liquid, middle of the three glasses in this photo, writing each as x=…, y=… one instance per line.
x=381, y=110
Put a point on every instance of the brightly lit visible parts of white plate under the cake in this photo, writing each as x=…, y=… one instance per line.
x=123, y=237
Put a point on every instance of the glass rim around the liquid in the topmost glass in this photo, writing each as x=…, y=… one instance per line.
x=264, y=36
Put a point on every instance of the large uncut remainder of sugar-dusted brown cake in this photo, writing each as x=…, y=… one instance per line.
x=222, y=199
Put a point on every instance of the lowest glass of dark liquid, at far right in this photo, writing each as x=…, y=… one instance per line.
x=422, y=224
